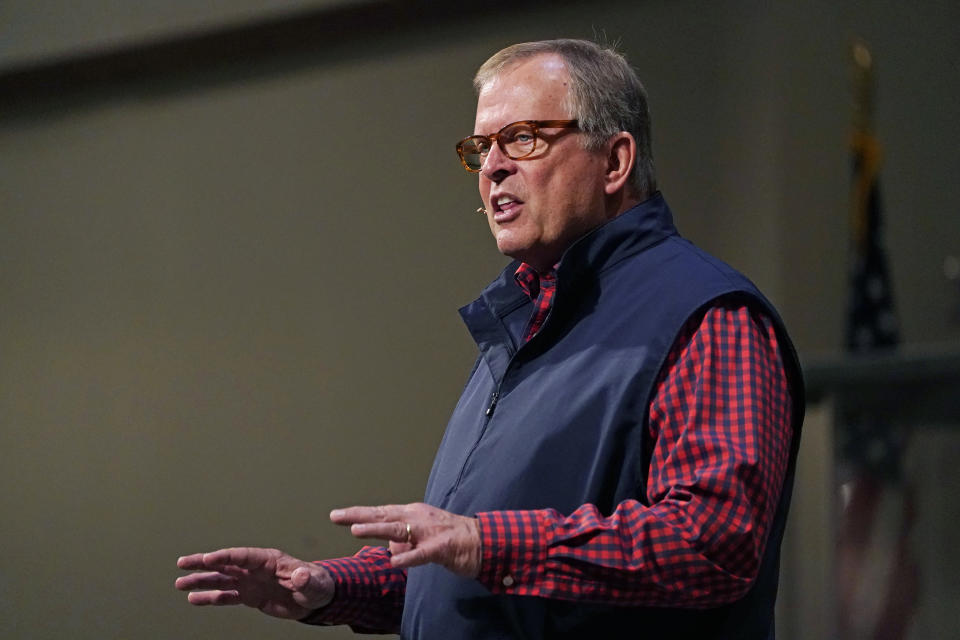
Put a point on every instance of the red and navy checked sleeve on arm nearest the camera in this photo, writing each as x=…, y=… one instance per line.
x=719, y=436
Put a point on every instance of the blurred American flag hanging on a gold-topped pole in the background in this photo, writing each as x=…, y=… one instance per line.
x=877, y=575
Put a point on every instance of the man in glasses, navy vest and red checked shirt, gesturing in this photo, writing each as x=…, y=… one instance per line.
x=621, y=459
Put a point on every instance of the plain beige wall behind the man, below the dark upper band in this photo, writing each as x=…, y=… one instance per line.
x=229, y=302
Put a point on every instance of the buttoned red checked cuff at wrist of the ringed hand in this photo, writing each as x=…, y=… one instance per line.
x=514, y=551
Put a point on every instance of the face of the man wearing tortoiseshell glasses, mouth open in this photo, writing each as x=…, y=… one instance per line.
x=537, y=206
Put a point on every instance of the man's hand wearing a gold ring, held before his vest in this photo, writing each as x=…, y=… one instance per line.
x=418, y=534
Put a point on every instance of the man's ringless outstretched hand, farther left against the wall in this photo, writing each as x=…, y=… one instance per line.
x=265, y=579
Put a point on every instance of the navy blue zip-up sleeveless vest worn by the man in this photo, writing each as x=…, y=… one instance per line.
x=568, y=421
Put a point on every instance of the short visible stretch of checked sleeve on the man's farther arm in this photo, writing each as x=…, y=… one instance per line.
x=369, y=593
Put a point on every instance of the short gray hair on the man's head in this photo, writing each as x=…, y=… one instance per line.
x=605, y=96
